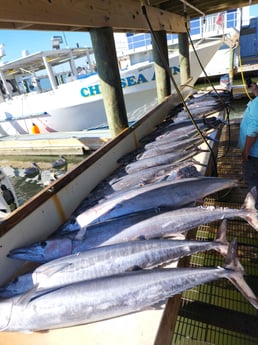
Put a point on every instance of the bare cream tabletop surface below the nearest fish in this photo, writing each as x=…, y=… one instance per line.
x=137, y=329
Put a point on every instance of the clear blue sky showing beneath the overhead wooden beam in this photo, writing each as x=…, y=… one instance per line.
x=15, y=41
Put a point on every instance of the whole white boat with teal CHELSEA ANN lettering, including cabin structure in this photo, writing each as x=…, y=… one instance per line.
x=77, y=104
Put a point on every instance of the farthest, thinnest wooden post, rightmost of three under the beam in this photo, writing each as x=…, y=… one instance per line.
x=184, y=57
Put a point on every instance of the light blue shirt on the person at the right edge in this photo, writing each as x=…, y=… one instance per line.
x=249, y=126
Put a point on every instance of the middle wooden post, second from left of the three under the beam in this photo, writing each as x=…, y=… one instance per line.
x=159, y=43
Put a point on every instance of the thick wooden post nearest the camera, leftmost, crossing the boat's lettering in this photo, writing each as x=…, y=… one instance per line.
x=107, y=67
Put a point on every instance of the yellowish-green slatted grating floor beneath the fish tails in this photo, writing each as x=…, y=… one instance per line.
x=216, y=313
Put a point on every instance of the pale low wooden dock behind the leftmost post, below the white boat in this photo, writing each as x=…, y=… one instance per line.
x=56, y=143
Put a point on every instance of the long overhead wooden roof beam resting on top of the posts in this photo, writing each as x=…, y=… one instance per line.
x=82, y=15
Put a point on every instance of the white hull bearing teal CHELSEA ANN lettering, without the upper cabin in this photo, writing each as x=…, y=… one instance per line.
x=78, y=105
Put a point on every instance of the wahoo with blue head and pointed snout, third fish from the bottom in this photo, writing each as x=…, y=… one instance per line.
x=167, y=224
